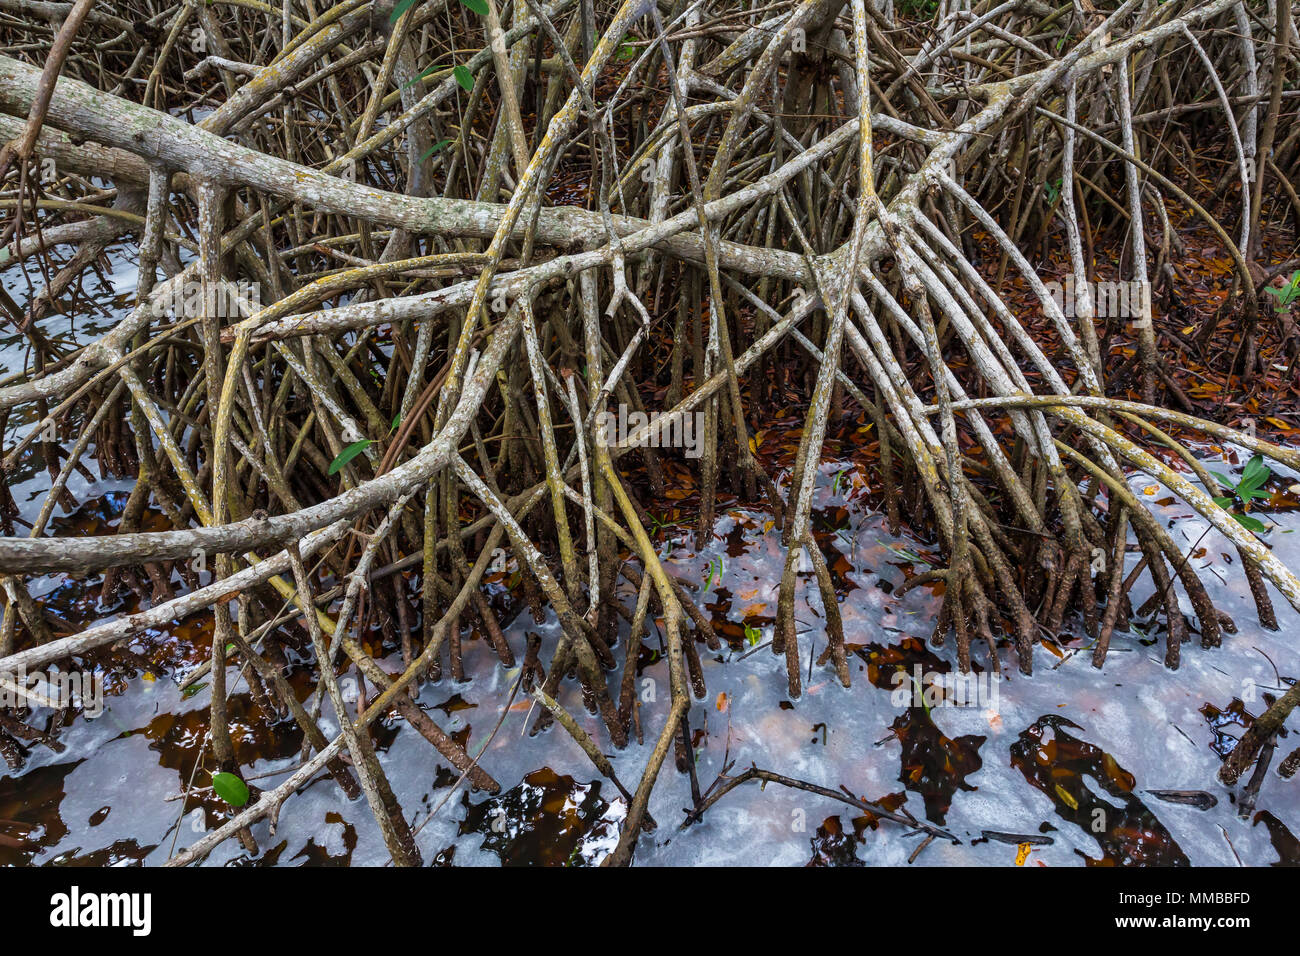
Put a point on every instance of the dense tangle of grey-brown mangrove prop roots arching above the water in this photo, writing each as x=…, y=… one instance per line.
x=376, y=338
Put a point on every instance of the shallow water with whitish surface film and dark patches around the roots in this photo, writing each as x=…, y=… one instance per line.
x=1069, y=755
